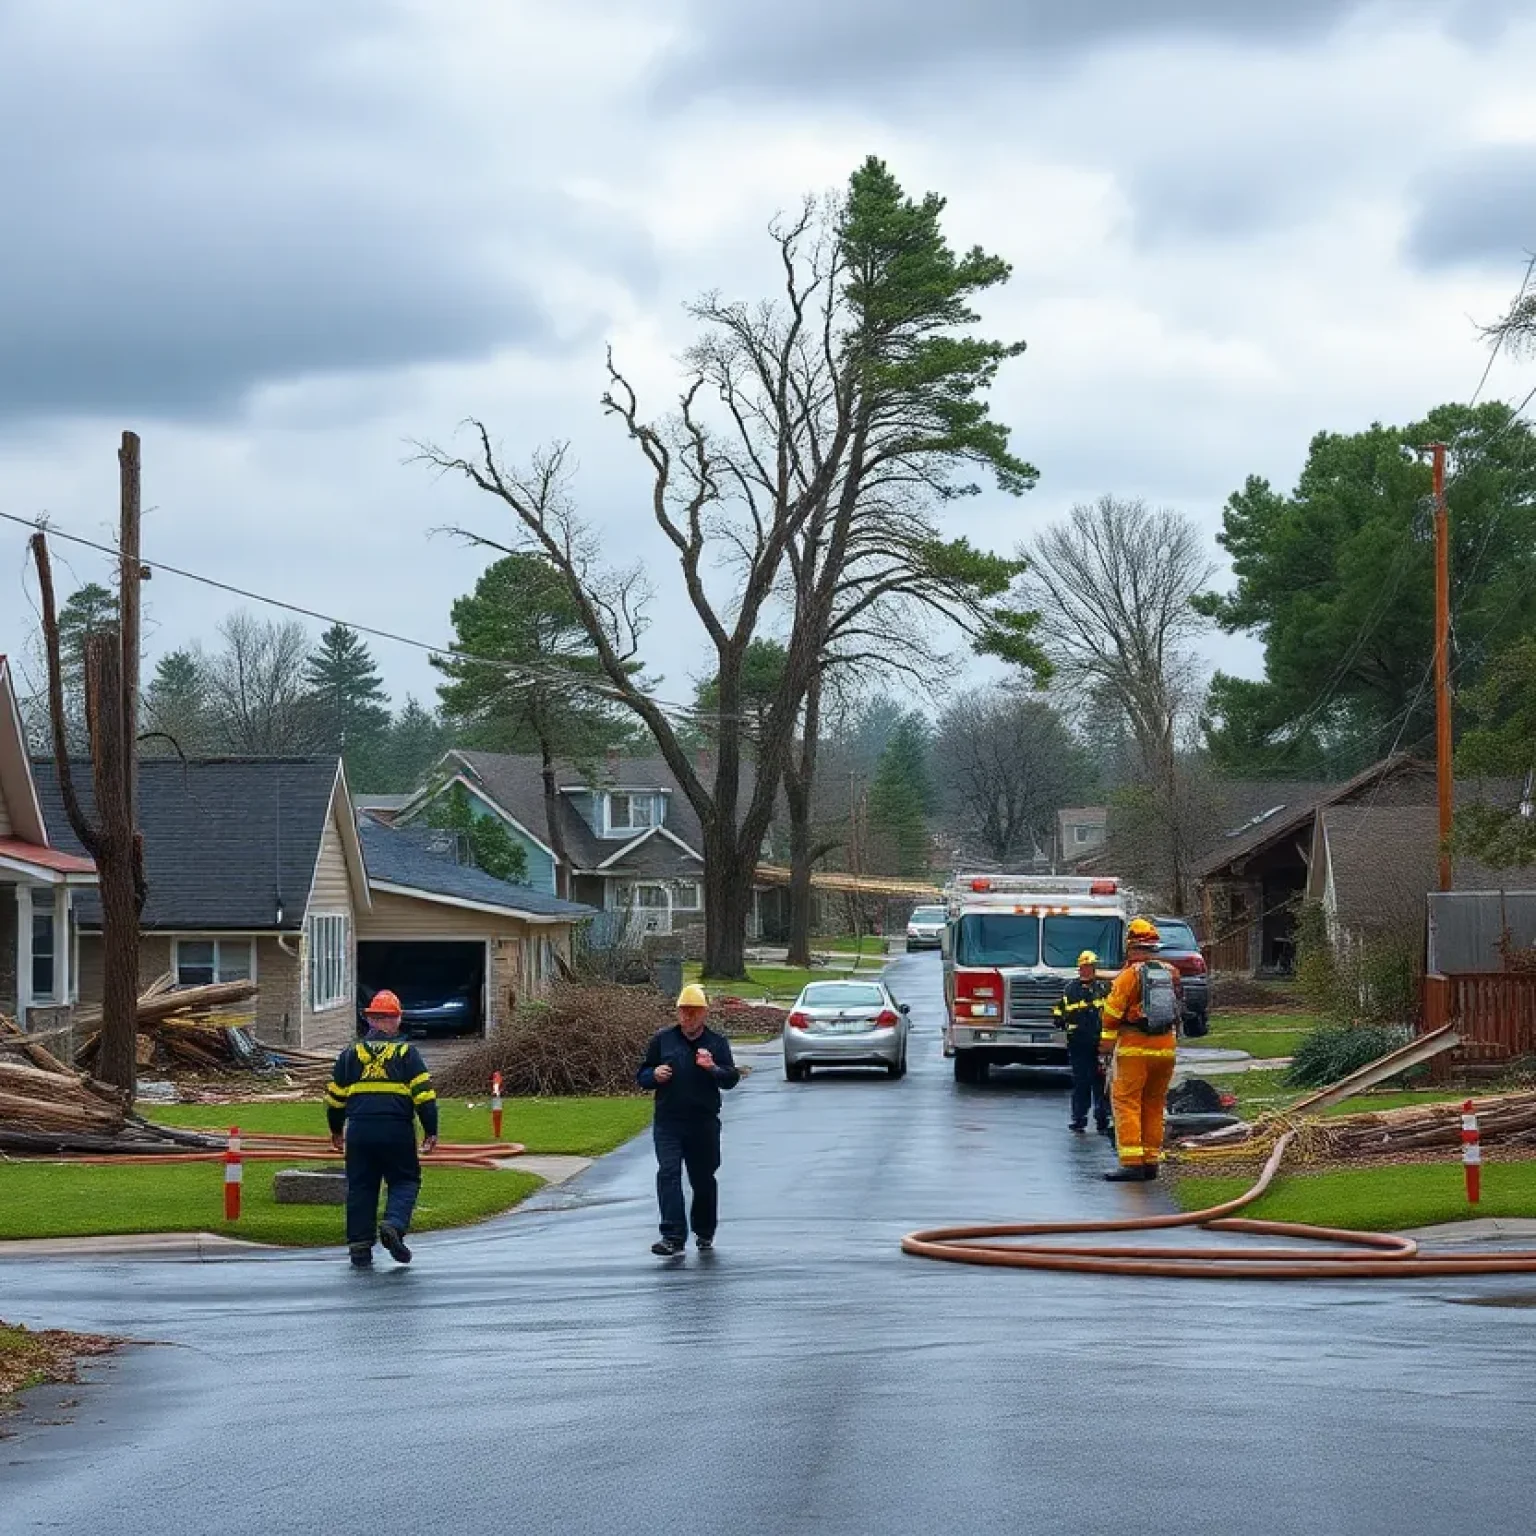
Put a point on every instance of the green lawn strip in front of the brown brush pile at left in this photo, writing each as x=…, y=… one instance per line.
x=574, y=1127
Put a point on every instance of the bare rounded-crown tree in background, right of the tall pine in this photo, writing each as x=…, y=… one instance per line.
x=1114, y=588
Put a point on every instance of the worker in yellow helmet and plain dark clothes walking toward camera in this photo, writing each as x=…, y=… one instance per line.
x=687, y=1067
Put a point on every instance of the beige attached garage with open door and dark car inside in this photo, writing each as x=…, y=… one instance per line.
x=460, y=947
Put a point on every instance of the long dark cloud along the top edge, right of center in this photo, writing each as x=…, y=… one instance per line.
x=815, y=45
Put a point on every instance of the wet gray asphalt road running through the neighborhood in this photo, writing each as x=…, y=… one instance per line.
x=546, y=1374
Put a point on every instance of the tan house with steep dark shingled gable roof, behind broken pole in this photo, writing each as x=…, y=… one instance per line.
x=256, y=873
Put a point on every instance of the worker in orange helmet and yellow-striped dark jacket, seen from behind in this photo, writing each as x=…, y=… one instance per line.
x=377, y=1093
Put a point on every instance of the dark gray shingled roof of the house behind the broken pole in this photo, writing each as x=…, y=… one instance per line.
x=225, y=838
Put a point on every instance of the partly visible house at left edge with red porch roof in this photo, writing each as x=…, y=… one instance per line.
x=41, y=887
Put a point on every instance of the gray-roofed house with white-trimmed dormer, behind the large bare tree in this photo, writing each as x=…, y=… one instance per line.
x=632, y=838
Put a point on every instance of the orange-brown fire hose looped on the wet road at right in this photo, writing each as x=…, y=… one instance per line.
x=1380, y=1256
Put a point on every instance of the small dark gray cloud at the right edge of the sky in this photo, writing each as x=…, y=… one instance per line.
x=1478, y=210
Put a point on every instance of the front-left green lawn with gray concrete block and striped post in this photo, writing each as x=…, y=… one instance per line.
x=67, y=1200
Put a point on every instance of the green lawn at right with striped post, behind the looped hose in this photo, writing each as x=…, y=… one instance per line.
x=1380, y=1199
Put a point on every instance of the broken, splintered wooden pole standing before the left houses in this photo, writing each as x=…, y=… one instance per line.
x=113, y=839
